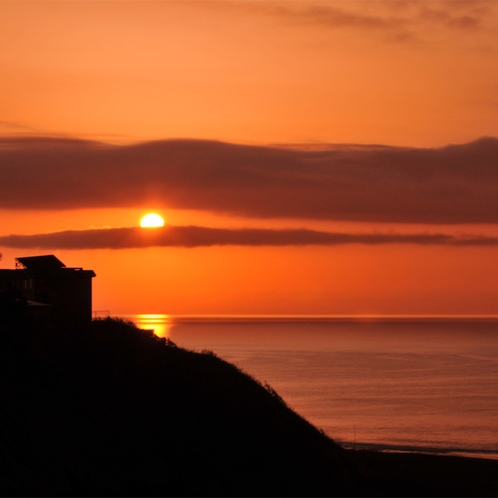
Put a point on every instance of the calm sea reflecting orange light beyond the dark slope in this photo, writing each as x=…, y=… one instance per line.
x=403, y=384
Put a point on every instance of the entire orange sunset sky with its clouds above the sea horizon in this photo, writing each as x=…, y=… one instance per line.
x=309, y=157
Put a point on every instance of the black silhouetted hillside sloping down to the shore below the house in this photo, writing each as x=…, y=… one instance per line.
x=110, y=410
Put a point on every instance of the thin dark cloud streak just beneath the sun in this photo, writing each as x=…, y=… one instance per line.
x=196, y=236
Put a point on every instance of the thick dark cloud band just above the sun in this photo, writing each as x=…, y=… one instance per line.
x=453, y=184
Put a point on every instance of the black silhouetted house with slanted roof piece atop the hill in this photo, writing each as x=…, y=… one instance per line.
x=51, y=291
